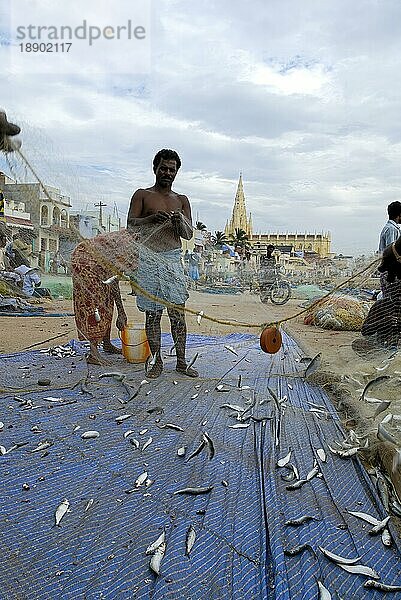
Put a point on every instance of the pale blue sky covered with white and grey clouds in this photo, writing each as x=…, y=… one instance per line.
x=302, y=96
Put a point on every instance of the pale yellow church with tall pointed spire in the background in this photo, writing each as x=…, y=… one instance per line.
x=299, y=244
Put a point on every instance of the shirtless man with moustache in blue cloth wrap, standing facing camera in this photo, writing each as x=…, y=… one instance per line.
x=162, y=217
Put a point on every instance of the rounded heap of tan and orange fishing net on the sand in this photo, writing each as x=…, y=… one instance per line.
x=340, y=312
